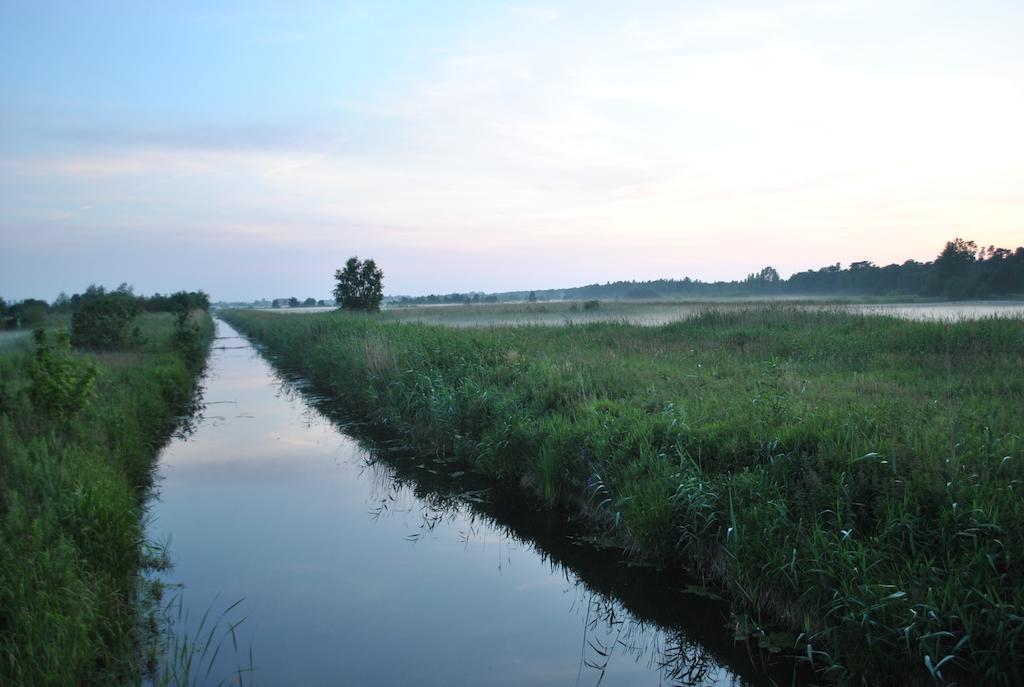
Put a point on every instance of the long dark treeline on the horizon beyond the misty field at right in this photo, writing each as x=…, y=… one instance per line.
x=962, y=271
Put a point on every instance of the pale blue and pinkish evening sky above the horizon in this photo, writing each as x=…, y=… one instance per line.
x=249, y=149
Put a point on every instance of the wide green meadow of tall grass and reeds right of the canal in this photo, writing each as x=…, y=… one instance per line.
x=851, y=482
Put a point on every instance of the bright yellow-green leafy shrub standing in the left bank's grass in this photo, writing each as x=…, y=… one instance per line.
x=61, y=384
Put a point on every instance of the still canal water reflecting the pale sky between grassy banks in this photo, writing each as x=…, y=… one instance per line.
x=363, y=566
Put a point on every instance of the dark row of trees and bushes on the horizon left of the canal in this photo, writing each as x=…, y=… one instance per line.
x=32, y=312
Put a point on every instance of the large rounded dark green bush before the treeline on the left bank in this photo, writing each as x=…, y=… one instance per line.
x=105, y=322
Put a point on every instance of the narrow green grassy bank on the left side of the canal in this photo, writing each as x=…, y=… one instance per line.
x=73, y=482
